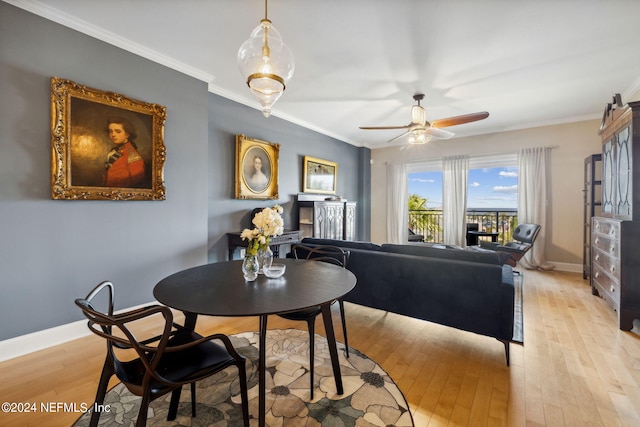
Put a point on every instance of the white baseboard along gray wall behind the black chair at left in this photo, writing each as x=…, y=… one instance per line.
x=40, y=340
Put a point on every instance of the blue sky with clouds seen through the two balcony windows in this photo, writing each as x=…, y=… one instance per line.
x=488, y=188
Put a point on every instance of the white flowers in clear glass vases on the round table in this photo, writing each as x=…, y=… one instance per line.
x=268, y=223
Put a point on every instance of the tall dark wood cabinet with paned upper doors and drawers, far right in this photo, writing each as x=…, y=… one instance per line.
x=615, y=264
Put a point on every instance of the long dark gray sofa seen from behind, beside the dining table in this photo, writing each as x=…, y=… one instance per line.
x=467, y=290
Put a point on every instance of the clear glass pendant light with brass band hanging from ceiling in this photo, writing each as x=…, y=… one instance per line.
x=266, y=63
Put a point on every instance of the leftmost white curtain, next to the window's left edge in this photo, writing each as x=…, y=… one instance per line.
x=397, y=203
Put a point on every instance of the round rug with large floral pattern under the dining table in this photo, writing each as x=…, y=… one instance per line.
x=370, y=396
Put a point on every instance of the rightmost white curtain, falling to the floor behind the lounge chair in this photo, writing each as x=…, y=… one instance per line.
x=532, y=202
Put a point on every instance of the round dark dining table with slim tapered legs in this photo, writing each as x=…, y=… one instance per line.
x=219, y=289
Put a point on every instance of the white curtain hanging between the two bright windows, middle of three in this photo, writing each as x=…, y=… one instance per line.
x=455, y=178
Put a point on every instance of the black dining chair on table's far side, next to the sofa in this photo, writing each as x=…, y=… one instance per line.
x=323, y=253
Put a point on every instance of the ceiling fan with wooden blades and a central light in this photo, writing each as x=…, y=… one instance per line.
x=420, y=131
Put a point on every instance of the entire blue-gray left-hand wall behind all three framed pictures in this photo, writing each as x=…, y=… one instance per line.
x=52, y=252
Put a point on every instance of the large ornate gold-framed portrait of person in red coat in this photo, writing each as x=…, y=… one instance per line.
x=105, y=146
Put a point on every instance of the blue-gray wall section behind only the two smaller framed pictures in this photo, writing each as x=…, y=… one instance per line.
x=228, y=118
